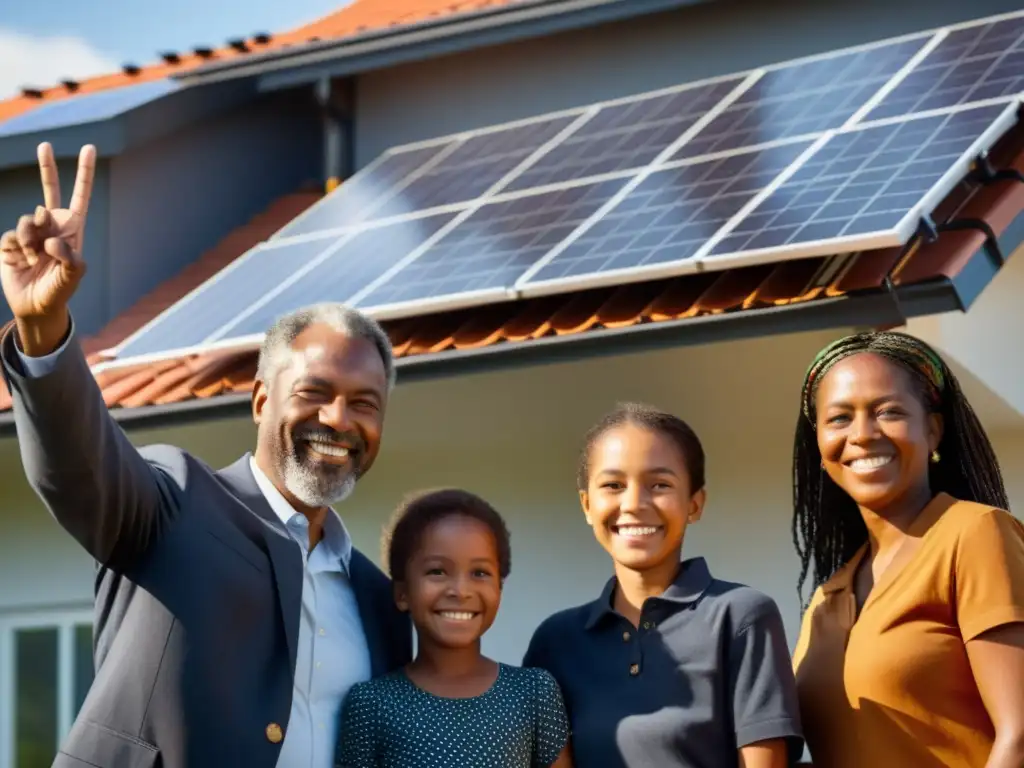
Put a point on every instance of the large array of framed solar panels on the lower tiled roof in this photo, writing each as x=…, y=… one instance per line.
x=832, y=154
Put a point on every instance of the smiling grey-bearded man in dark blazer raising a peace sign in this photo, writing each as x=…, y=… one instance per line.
x=233, y=613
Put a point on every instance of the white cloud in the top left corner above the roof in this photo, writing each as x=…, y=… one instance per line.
x=42, y=62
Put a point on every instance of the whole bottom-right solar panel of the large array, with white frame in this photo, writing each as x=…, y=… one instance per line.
x=866, y=188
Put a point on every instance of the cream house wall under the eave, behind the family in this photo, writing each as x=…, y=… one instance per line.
x=514, y=438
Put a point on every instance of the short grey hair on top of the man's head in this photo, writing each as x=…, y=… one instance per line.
x=275, y=353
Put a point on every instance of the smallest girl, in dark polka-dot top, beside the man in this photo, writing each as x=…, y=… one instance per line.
x=449, y=556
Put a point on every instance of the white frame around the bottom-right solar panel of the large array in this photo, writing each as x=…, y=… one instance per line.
x=899, y=236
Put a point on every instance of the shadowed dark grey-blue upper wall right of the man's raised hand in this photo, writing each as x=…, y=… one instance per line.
x=174, y=199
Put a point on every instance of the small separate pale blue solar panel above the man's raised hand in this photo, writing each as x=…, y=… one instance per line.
x=88, y=108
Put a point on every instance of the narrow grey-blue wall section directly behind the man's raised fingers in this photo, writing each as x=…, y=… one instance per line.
x=21, y=192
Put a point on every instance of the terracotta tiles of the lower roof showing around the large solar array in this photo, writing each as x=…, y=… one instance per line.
x=227, y=372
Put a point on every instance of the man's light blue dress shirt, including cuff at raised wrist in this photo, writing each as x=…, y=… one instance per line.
x=333, y=654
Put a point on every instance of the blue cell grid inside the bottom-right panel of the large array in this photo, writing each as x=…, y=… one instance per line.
x=859, y=184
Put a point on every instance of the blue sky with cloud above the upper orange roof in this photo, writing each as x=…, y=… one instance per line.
x=45, y=41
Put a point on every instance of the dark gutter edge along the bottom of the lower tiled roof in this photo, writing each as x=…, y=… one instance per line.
x=873, y=309
